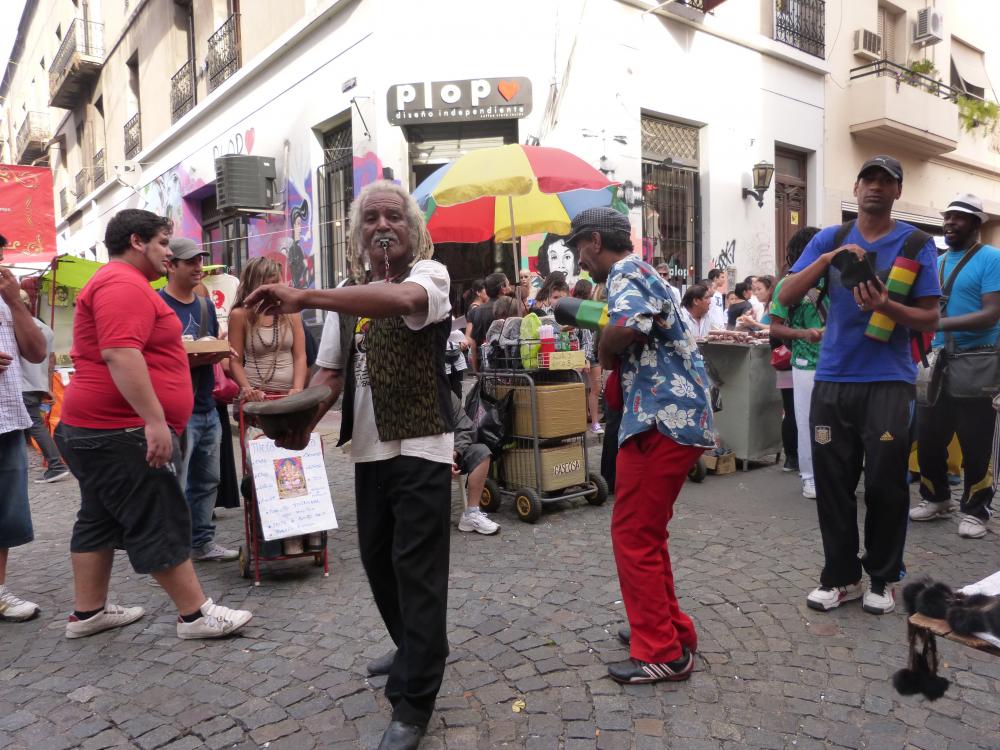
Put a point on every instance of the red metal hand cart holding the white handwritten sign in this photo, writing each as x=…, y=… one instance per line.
x=256, y=549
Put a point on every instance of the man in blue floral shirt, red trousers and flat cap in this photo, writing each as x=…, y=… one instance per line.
x=666, y=425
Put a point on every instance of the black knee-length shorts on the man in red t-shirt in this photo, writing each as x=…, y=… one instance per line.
x=124, y=502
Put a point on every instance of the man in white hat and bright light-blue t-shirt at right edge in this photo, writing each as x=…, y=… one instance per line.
x=970, y=319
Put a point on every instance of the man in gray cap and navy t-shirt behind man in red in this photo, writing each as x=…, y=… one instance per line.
x=203, y=436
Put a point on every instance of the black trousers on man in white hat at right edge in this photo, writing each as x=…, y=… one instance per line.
x=973, y=419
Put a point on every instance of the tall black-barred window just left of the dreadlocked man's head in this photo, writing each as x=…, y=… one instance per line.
x=336, y=192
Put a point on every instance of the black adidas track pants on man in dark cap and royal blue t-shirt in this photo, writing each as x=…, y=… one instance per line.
x=859, y=426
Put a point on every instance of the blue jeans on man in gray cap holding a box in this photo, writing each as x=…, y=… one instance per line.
x=201, y=472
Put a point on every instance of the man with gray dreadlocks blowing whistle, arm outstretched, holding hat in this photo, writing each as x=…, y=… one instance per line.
x=385, y=350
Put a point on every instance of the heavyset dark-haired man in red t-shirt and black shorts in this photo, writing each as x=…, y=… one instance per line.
x=129, y=400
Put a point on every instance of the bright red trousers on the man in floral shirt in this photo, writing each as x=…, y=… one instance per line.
x=651, y=471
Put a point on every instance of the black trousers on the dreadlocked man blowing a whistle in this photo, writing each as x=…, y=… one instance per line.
x=404, y=518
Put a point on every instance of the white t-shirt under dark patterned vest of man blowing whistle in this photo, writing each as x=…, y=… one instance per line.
x=365, y=445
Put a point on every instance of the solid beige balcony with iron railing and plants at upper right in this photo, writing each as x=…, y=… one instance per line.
x=891, y=104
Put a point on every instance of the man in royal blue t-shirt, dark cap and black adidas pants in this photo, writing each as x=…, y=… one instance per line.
x=863, y=398
